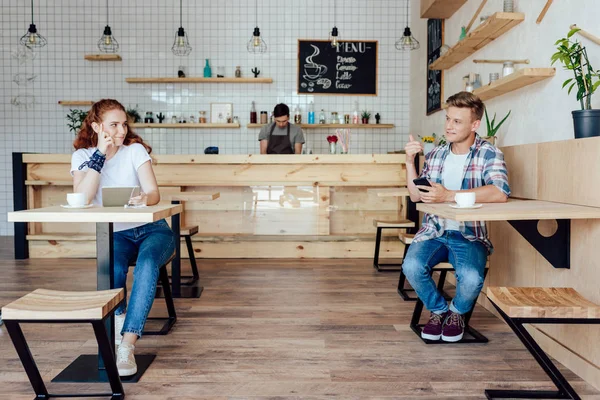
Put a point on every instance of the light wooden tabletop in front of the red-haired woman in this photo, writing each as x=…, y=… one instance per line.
x=95, y=214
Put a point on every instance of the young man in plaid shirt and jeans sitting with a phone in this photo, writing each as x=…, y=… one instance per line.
x=467, y=163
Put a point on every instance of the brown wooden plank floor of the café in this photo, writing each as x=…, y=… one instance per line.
x=293, y=329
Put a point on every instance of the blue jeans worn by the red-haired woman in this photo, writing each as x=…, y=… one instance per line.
x=149, y=246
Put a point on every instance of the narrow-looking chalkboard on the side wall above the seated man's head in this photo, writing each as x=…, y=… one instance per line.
x=435, y=85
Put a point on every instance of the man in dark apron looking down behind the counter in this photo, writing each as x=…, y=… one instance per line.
x=281, y=137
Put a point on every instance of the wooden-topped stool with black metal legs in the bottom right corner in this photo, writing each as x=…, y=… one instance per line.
x=520, y=306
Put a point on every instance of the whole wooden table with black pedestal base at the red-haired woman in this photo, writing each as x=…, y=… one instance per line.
x=90, y=368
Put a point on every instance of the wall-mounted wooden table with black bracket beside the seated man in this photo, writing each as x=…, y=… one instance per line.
x=524, y=216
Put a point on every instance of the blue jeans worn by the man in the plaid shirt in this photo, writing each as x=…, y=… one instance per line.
x=468, y=259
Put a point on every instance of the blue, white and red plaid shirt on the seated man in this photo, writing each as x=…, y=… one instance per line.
x=485, y=166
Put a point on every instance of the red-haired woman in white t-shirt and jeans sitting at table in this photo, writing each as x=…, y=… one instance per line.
x=109, y=153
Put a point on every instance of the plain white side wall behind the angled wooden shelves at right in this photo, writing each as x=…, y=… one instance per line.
x=540, y=112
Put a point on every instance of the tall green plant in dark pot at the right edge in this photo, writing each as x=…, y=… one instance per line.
x=574, y=57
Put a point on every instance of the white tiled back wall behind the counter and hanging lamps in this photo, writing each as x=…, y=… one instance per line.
x=218, y=31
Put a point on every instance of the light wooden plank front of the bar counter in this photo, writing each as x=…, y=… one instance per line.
x=270, y=206
